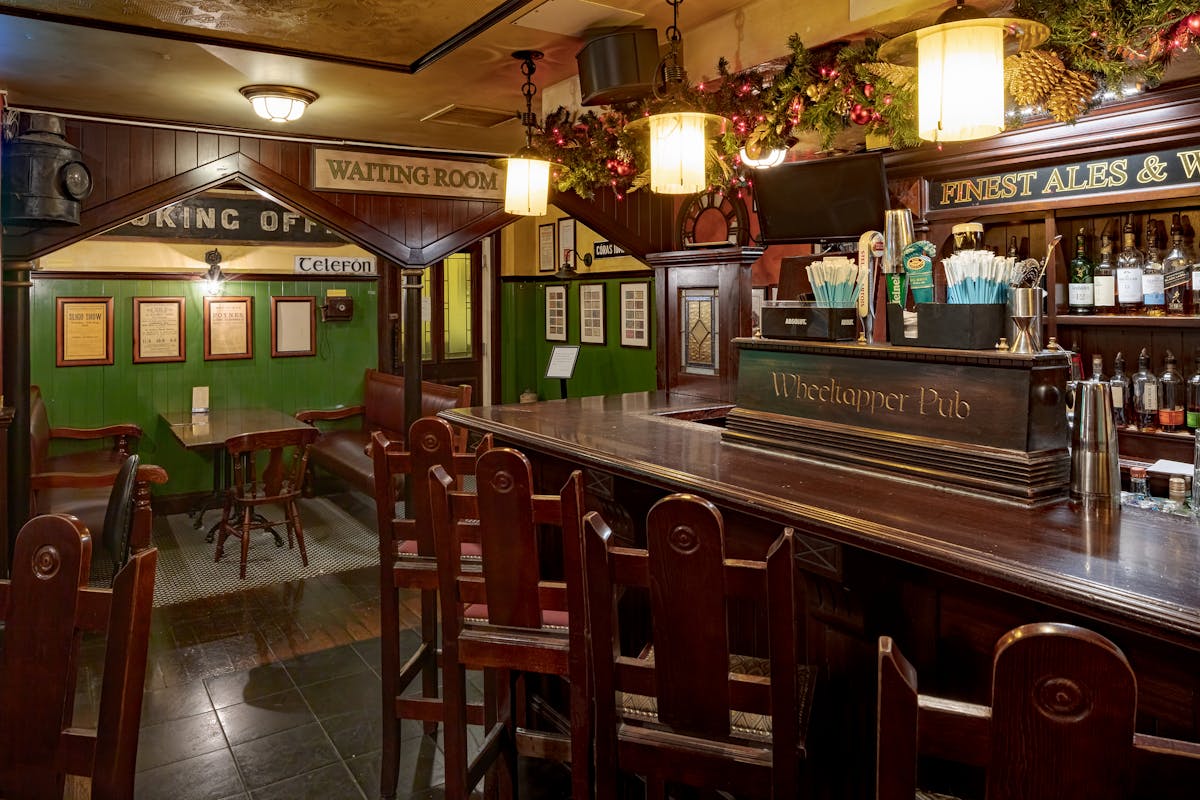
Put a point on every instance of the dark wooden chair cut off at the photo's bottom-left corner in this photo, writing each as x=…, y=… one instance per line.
x=47, y=607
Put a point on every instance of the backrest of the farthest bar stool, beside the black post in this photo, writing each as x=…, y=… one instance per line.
x=434, y=443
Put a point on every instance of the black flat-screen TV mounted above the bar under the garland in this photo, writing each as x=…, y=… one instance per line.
x=827, y=200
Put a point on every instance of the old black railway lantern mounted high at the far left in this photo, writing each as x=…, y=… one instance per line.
x=45, y=177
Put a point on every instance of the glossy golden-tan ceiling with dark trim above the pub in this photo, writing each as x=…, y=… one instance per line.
x=381, y=68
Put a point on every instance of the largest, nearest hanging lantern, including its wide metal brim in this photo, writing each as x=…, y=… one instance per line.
x=961, y=70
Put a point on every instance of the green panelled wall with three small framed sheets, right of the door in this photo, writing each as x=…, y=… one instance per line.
x=602, y=369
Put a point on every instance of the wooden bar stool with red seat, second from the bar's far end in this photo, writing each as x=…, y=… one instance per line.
x=506, y=621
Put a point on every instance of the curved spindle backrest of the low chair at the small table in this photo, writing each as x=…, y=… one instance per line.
x=286, y=464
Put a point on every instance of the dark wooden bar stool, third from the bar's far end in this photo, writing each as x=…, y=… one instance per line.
x=687, y=709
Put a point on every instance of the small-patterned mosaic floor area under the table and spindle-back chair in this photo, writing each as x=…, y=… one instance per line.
x=339, y=537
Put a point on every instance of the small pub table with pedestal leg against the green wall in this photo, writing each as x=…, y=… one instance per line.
x=209, y=431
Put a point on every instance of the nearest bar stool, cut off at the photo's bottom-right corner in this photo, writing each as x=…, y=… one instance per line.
x=1060, y=726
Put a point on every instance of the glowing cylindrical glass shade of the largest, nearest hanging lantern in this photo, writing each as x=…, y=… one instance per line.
x=961, y=82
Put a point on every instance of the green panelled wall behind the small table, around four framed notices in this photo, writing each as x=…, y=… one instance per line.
x=140, y=393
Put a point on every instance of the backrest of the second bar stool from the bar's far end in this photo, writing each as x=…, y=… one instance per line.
x=503, y=516
